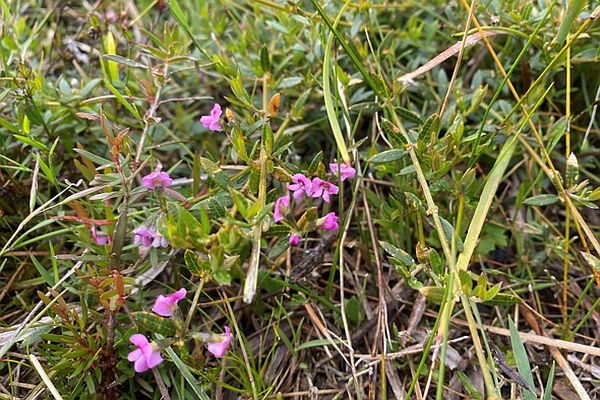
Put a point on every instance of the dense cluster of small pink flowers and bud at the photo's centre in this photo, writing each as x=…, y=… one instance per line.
x=316, y=188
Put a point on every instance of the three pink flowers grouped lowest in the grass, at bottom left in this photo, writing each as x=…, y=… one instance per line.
x=147, y=354
